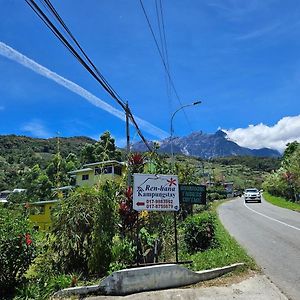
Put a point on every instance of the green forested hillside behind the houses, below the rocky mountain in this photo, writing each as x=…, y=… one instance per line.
x=24, y=160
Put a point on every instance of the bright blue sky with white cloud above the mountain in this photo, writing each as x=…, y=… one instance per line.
x=241, y=58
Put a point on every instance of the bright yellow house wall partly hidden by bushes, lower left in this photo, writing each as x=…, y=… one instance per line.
x=40, y=214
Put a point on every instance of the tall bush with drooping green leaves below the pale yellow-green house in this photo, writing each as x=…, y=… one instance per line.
x=84, y=226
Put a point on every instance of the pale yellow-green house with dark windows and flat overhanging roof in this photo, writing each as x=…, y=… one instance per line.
x=97, y=172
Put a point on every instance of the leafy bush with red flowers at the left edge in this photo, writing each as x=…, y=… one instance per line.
x=17, y=248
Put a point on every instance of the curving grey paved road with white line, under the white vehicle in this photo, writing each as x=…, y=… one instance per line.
x=271, y=235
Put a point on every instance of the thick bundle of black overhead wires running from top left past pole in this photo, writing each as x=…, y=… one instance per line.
x=71, y=43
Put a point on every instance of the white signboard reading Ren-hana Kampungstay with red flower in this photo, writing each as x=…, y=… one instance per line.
x=155, y=192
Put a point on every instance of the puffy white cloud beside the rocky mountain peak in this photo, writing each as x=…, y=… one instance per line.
x=276, y=137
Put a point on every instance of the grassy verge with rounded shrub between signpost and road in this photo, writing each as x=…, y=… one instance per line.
x=220, y=248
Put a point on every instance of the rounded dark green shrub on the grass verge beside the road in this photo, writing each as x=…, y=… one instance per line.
x=199, y=232
